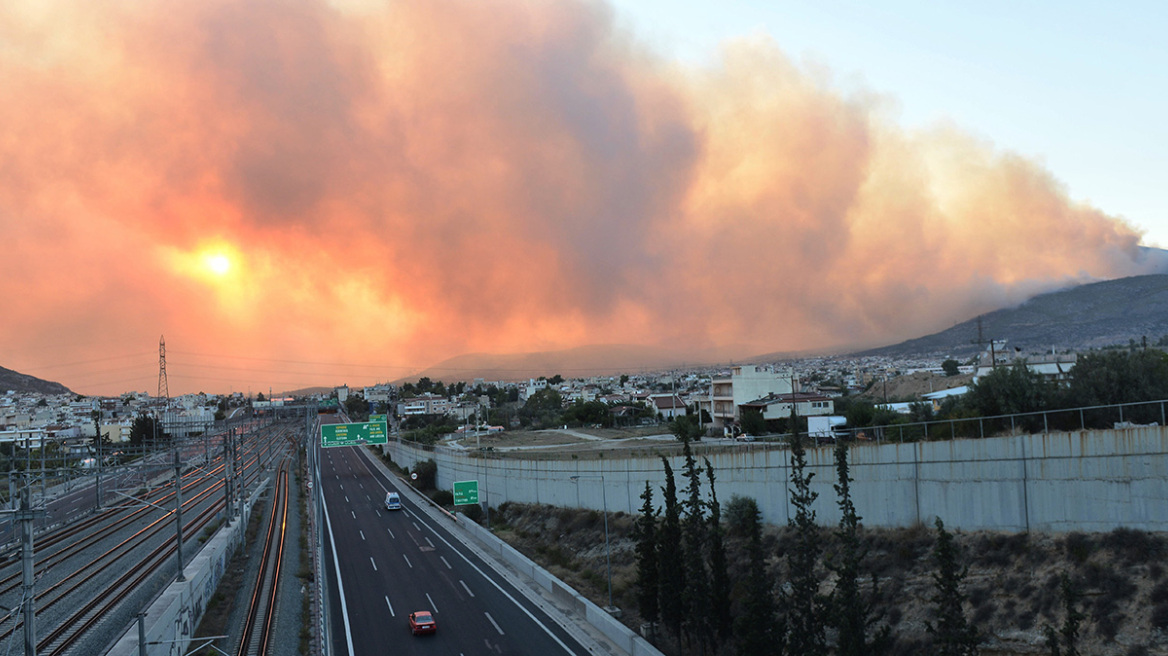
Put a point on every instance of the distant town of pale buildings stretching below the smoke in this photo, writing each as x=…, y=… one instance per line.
x=720, y=400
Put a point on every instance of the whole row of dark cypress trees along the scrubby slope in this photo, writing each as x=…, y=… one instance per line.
x=692, y=603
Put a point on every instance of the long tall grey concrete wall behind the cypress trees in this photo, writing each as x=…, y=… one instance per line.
x=1084, y=480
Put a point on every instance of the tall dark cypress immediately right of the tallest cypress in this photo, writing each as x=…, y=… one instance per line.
x=853, y=613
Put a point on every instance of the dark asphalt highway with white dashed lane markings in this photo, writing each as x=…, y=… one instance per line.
x=393, y=563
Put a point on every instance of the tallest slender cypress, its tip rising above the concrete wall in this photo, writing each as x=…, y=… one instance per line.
x=805, y=606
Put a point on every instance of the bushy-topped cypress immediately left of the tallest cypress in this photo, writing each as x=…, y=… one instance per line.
x=759, y=630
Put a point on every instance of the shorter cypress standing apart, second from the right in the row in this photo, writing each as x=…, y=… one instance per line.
x=953, y=633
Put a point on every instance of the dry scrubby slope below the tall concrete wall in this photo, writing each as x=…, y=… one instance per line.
x=1012, y=587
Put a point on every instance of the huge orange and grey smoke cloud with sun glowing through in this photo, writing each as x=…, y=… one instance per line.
x=309, y=193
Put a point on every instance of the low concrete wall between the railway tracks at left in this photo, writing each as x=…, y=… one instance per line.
x=172, y=619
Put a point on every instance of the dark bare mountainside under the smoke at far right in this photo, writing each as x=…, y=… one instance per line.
x=1087, y=317
